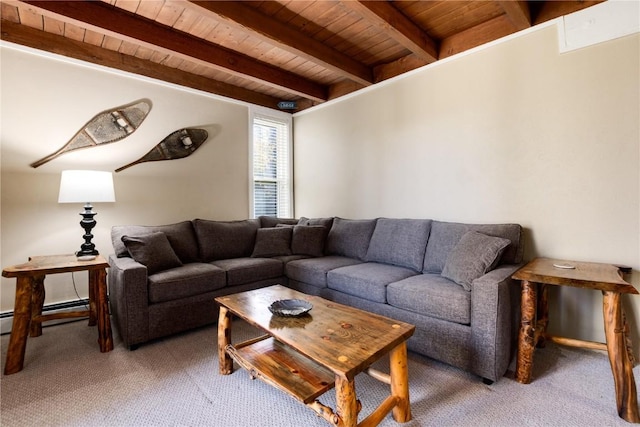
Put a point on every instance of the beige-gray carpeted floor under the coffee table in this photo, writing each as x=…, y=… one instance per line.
x=175, y=382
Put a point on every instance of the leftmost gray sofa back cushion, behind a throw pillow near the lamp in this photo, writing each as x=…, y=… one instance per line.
x=181, y=236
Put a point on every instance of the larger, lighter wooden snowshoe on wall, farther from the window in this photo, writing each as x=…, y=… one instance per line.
x=106, y=127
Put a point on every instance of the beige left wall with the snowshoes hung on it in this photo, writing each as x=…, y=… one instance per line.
x=46, y=100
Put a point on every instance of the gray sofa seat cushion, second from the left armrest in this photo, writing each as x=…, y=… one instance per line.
x=241, y=271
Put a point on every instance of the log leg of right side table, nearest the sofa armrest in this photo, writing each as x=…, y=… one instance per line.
x=526, y=337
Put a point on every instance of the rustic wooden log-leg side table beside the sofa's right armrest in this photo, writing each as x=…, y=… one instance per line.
x=607, y=278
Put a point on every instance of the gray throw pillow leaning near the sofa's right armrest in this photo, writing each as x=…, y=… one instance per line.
x=473, y=256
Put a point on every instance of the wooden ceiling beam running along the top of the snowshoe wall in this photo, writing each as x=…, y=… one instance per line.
x=27, y=36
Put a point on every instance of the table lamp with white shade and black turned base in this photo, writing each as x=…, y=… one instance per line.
x=82, y=186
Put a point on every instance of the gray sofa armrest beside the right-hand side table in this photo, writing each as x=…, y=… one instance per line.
x=491, y=321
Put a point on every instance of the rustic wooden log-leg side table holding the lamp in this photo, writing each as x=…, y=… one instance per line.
x=27, y=314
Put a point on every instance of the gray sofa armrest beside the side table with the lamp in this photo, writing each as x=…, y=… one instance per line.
x=129, y=297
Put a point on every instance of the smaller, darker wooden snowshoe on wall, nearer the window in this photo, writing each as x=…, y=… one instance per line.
x=176, y=145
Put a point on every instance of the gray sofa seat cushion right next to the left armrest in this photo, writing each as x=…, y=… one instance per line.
x=185, y=281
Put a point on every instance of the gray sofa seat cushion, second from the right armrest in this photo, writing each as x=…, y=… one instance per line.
x=367, y=280
